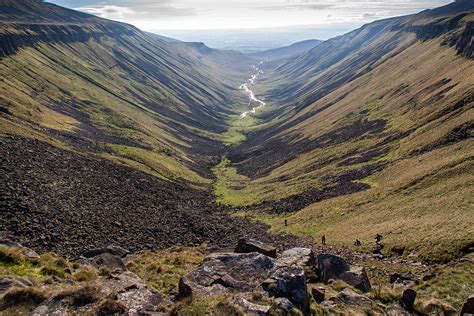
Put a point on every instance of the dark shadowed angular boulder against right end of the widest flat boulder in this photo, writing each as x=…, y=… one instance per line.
x=289, y=282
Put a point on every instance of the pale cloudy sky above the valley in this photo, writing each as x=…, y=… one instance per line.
x=157, y=15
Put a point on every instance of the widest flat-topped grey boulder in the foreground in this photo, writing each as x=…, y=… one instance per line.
x=240, y=272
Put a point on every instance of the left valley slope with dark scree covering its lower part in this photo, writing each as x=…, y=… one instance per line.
x=108, y=134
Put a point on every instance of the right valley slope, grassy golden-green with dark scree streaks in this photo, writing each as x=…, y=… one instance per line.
x=384, y=112
